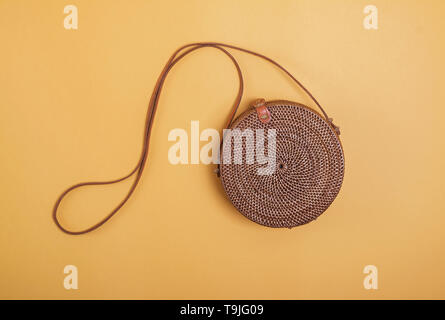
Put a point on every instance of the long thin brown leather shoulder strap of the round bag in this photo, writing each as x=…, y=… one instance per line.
x=152, y=106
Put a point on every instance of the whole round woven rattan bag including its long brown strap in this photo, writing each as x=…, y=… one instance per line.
x=308, y=166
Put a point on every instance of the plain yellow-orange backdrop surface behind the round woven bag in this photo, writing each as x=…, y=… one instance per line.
x=72, y=107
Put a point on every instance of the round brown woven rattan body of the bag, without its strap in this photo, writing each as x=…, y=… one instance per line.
x=305, y=177
